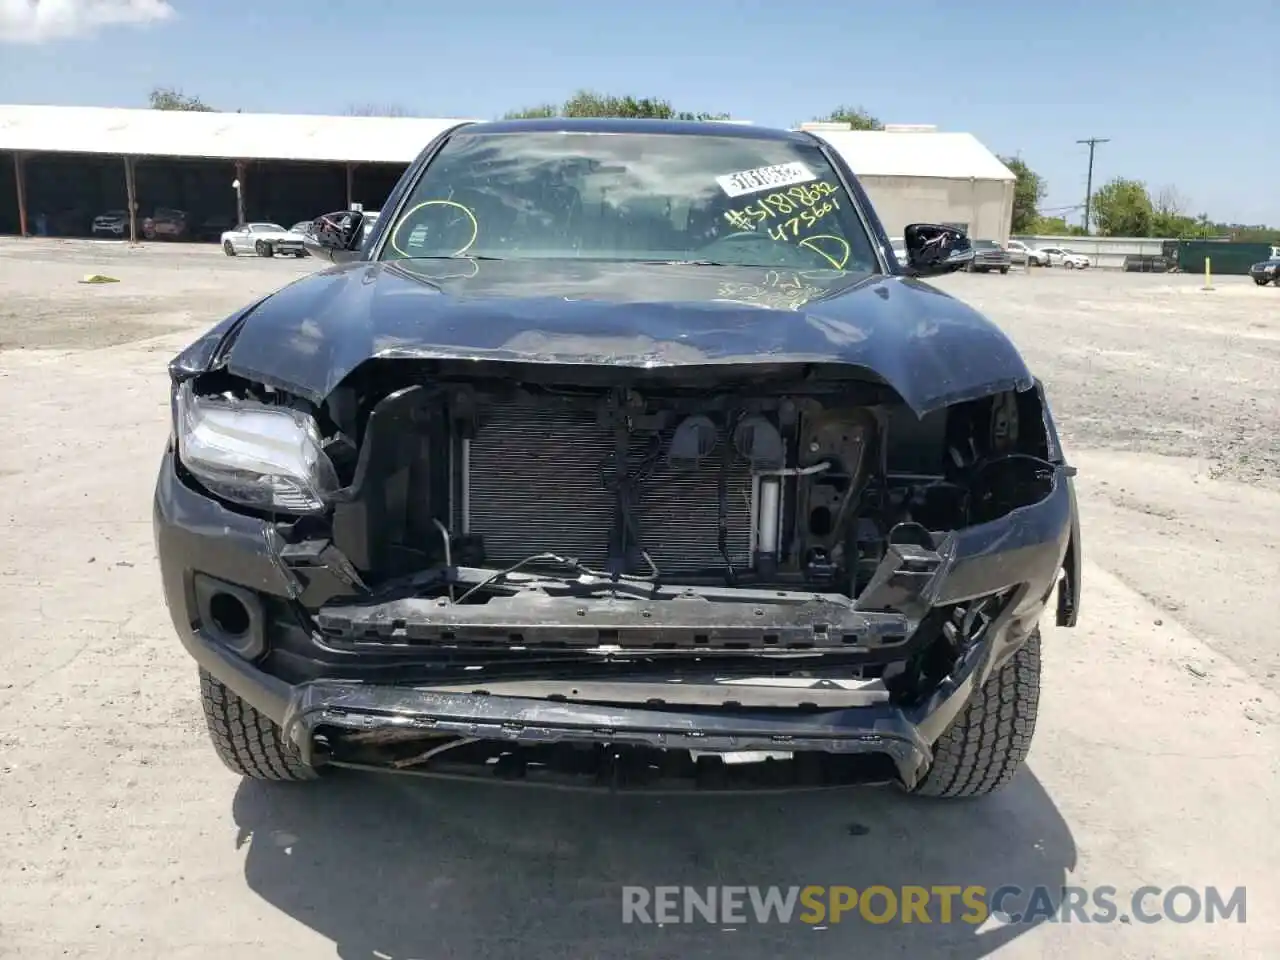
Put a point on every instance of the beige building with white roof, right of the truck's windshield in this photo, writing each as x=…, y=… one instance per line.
x=918, y=175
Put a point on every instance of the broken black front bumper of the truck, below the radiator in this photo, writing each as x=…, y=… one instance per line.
x=339, y=675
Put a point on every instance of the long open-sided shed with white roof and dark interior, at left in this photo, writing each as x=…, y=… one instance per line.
x=70, y=164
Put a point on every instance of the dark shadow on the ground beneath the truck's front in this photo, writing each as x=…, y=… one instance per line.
x=400, y=868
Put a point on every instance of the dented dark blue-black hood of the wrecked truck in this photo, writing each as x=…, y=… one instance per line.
x=930, y=348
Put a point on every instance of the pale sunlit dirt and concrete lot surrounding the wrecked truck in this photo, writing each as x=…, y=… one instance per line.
x=1155, y=761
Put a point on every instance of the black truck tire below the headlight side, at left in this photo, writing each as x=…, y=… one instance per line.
x=245, y=740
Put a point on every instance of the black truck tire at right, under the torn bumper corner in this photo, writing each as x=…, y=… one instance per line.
x=984, y=748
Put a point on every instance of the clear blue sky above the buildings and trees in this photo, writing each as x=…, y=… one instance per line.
x=1186, y=93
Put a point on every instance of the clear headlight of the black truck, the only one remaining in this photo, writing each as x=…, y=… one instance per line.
x=266, y=458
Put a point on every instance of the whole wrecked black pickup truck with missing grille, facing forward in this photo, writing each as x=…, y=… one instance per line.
x=619, y=454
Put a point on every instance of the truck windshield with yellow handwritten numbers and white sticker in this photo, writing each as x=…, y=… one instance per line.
x=633, y=198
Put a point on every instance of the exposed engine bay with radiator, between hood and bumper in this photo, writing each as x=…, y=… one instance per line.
x=792, y=482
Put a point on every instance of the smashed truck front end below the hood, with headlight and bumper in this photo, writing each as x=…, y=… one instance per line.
x=757, y=575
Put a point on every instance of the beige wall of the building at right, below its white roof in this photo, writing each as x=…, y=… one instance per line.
x=984, y=207
